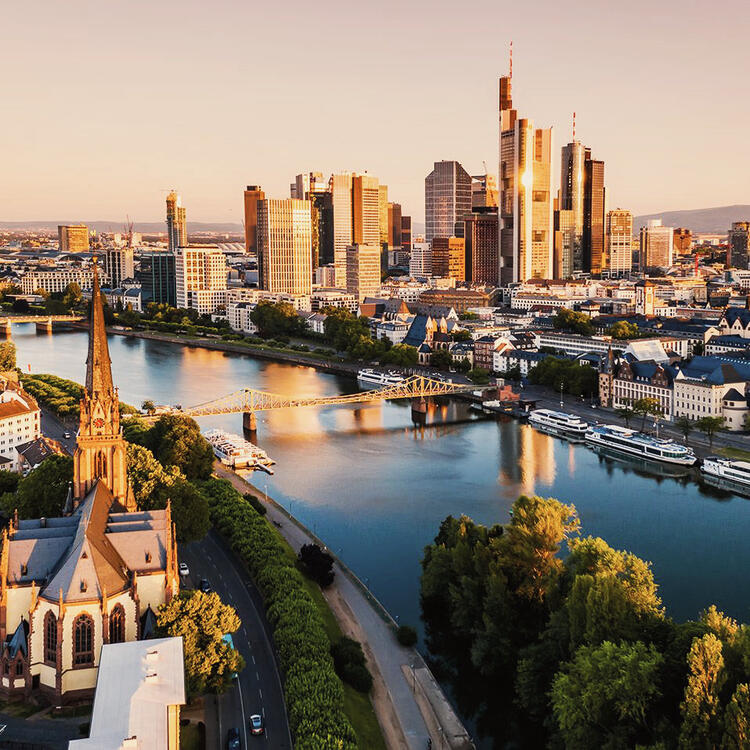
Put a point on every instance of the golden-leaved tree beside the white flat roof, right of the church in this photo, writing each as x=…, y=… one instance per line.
x=202, y=620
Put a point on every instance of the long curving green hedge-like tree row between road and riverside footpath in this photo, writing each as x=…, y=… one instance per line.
x=313, y=691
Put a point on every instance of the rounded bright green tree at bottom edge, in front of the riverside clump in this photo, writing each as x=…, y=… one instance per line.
x=603, y=697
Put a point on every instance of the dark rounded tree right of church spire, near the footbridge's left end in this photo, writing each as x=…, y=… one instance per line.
x=176, y=440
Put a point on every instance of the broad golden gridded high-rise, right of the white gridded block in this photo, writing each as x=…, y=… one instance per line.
x=285, y=246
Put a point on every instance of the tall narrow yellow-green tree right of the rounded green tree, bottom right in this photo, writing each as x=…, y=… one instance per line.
x=701, y=708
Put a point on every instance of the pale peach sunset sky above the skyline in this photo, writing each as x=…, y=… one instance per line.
x=106, y=106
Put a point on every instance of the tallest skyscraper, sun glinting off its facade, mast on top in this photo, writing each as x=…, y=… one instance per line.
x=524, y=194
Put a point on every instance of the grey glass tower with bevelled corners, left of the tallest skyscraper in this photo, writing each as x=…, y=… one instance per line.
x=447, y=198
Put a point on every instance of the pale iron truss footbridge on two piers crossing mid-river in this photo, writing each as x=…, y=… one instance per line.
x=248, y=401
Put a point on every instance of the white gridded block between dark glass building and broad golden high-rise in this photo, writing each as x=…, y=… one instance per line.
x=201, y=278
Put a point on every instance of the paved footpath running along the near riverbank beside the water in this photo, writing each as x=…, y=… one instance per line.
x=409, y=704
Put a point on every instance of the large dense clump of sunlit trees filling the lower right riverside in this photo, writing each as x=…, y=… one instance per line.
x=576, y=653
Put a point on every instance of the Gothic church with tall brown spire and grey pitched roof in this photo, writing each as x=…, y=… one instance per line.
x=95, y=575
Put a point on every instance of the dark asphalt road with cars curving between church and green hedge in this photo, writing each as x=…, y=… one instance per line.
x=258, y=687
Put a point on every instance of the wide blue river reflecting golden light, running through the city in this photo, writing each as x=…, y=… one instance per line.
x=375, y=487
